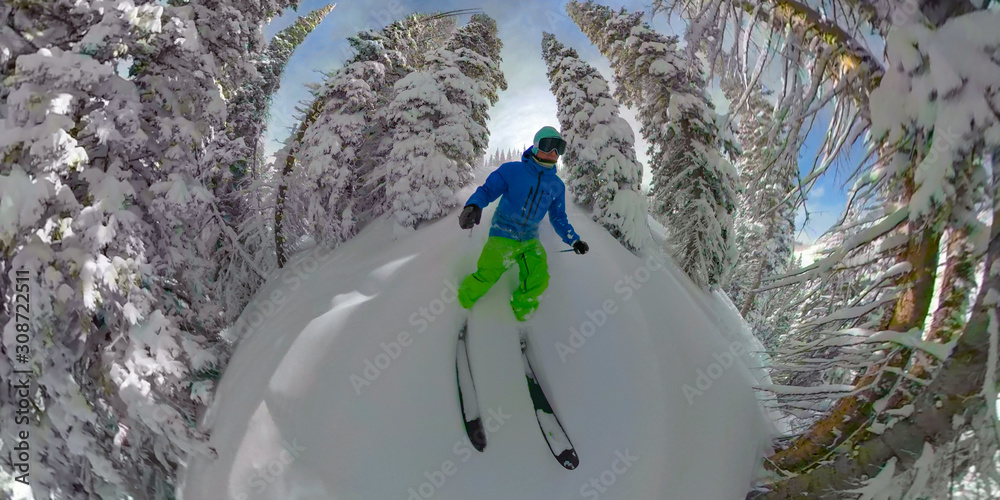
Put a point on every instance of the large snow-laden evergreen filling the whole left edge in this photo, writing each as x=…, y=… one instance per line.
x=112, y=226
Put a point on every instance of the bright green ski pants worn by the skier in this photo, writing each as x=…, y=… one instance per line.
x=498, y=255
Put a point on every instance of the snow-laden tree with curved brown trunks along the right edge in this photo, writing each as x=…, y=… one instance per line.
x=928, y=173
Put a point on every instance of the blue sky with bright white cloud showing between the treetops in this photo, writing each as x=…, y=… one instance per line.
x=527, y=104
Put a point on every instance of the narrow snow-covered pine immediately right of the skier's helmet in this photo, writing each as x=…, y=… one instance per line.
x=603, y=173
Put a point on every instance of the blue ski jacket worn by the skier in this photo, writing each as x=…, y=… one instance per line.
x=527, y=191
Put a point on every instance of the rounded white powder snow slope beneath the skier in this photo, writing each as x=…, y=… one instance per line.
x=649, y=400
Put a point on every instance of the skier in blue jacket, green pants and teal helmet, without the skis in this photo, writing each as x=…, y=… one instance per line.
x=527, y=190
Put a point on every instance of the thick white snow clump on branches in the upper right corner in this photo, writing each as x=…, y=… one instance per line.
x=939, y=99
